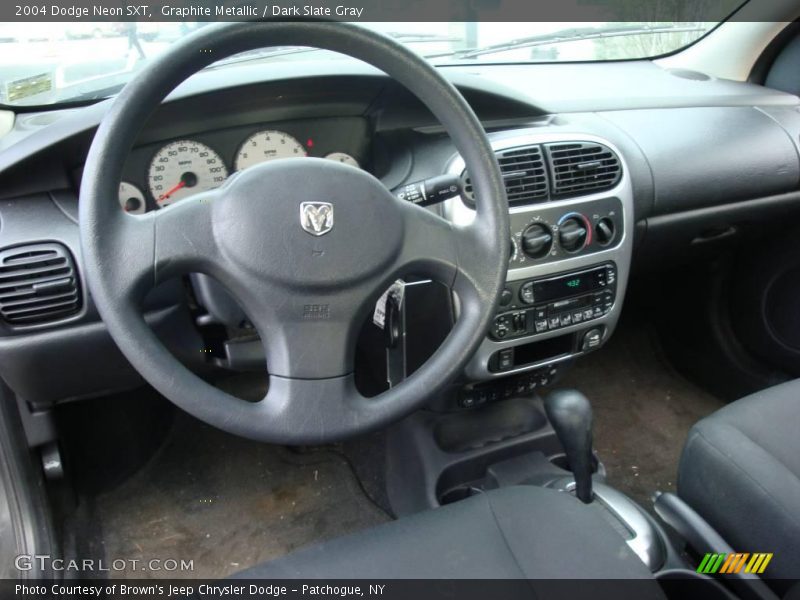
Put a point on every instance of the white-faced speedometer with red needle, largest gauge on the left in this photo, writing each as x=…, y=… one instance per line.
x=183, y=168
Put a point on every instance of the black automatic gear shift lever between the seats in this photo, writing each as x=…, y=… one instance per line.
x=570, y=414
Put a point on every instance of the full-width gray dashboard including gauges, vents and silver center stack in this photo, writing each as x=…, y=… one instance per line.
x=662, y=171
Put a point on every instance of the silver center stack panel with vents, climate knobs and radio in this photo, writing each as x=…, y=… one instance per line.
x=571, y=219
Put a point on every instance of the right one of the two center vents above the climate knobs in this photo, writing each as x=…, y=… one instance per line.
x=581, y=167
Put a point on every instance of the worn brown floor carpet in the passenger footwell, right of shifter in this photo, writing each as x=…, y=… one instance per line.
x=643, y=410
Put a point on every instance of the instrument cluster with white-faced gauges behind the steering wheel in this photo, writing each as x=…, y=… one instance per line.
x=161, y=174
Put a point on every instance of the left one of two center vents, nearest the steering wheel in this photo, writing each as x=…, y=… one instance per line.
x=524, y=174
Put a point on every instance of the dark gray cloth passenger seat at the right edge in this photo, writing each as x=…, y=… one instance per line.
x=740, y=470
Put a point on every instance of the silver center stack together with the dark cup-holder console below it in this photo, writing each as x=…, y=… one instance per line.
x=571, y=230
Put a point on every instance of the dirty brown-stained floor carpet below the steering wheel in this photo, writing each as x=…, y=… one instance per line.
x=227, y=503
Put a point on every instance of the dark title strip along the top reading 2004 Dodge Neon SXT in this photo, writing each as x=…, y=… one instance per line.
x=370, y=10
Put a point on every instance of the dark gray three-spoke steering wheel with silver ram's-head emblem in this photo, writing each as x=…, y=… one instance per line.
x=305, y=245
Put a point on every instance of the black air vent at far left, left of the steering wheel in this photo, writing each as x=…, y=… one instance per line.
x=38, y=284
